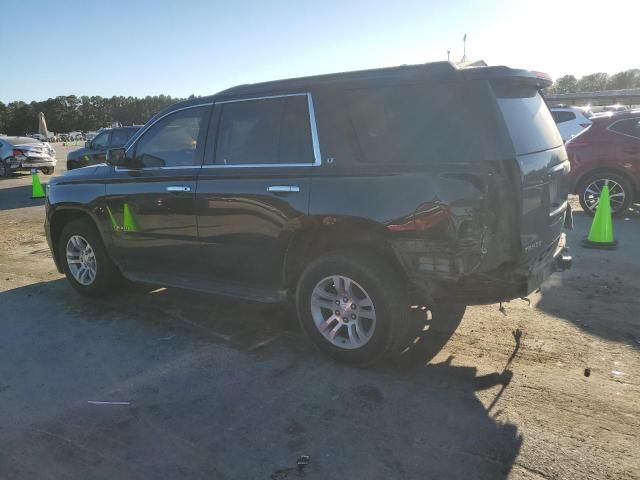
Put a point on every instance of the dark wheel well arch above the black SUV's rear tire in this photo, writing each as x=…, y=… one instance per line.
x=310, y=243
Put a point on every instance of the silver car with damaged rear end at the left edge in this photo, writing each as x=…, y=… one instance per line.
x=25, y=153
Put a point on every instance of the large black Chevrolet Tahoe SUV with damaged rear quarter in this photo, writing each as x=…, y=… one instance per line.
x=352, y=195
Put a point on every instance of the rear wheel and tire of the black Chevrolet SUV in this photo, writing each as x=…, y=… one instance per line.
x=378, y=281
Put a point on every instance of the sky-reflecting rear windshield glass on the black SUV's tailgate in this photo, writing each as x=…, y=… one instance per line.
x=527, y=117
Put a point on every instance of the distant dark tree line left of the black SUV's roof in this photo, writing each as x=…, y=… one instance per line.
x=71, y=113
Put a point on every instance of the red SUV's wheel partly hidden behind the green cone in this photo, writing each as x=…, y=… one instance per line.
x=618, y=185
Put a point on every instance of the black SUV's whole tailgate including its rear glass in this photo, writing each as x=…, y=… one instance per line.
x=542, y=164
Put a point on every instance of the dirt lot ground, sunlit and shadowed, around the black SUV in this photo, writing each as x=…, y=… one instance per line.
x=218, y=389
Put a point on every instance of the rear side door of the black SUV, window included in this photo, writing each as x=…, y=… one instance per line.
x=255, y=185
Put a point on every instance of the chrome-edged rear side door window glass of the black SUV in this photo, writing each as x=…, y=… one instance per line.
x=269, y=131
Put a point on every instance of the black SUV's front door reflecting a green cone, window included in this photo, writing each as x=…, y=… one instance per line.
x=150, y=199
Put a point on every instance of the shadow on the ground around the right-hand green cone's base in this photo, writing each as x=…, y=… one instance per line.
x=600, y=293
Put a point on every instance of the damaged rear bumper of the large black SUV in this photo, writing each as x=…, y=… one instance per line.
x=506, y=283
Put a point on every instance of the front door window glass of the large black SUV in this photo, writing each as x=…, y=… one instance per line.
x=172, y=141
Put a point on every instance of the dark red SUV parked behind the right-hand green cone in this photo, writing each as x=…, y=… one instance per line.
x=607, y=152
